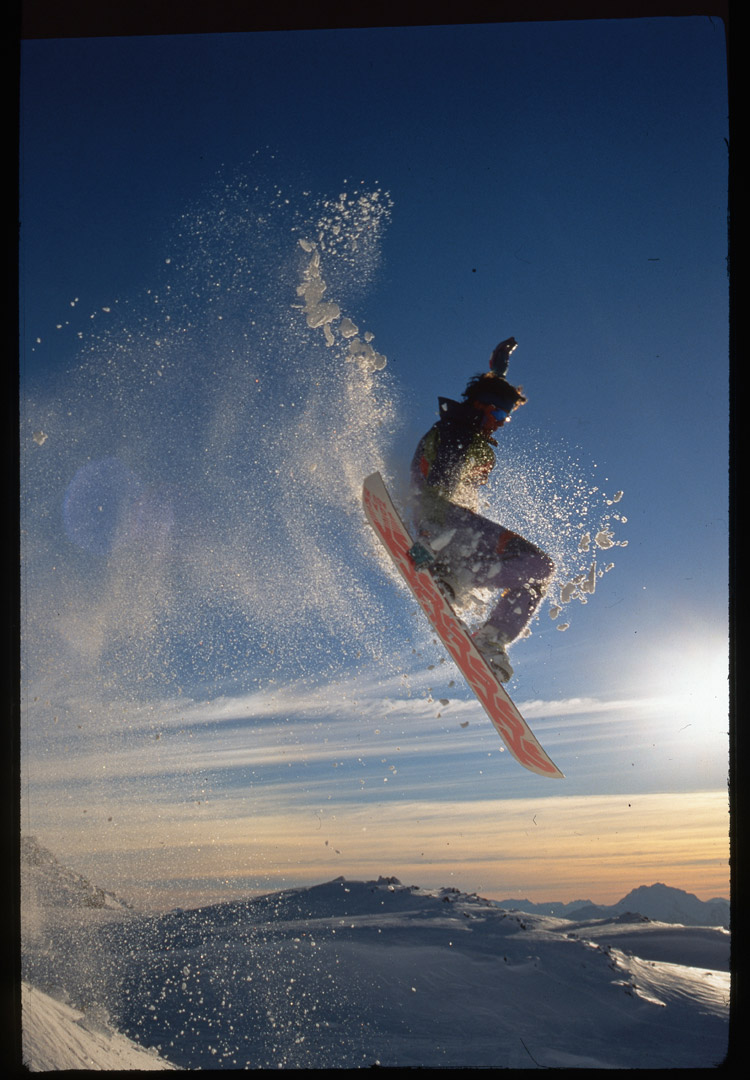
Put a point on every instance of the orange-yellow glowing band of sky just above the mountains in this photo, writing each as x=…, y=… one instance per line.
x=557, y=849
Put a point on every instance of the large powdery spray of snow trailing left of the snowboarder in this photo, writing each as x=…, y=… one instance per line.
x=193, y=484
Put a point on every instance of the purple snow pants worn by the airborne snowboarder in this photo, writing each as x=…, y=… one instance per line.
x=476, y=553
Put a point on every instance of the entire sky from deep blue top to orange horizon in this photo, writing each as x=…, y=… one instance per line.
x=244, y=657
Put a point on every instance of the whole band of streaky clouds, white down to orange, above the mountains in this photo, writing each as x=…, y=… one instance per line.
x=361, y=776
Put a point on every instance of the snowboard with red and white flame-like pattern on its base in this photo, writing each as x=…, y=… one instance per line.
x=514, y=731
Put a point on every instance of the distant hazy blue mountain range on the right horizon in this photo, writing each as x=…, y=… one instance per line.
x=659, y=901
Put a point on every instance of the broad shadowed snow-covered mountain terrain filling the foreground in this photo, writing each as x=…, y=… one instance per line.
x=352, y=975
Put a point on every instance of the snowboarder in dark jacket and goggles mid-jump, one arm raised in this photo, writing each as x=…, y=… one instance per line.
x=463, y=550
